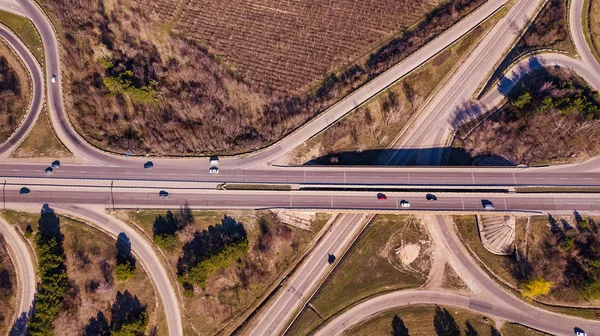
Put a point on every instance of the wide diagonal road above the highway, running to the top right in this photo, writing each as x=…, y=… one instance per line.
x=435, y=122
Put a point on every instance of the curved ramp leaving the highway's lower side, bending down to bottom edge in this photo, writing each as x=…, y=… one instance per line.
x=139, y=245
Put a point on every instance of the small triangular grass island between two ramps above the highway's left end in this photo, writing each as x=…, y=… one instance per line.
x=41, y=142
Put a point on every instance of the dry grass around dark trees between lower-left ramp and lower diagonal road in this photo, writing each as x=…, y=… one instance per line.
x=232, y=293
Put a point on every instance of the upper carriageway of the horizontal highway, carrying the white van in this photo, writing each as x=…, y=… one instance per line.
x=34, y=174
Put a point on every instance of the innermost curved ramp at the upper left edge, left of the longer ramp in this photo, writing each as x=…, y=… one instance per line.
x=37, y=92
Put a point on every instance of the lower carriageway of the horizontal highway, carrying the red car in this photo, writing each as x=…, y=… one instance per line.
x=133, y=198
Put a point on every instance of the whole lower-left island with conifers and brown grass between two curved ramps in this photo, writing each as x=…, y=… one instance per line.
x=78, y=262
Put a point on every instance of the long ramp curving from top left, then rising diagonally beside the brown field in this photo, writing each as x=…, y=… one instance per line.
x=86, y=152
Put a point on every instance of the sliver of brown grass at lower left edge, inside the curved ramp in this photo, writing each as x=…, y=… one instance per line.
x=8, y=289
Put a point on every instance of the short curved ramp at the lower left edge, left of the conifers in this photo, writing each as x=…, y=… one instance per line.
x=23, y=261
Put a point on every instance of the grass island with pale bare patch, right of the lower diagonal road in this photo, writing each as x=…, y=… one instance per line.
x=392, y=253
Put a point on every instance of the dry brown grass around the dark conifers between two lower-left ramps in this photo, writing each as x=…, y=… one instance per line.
x=91, y=257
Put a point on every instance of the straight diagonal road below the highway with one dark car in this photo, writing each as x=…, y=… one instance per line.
x=298, y=289
